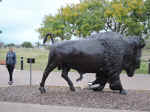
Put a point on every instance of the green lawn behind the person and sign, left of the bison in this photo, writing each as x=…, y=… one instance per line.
x=40, y=55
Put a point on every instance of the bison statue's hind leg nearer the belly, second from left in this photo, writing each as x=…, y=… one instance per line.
x=65, y=76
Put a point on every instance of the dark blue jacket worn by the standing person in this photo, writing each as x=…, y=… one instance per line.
x=11, y=58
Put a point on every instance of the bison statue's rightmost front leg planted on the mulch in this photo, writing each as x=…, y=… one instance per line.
x=115, y=84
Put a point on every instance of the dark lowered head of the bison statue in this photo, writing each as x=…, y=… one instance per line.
x=133, y=55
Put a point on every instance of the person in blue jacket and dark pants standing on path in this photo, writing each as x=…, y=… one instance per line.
x=10, y=64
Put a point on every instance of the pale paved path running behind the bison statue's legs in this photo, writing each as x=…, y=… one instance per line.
x=138, y=82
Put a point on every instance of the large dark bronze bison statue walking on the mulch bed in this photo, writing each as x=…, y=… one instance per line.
x=107, y=56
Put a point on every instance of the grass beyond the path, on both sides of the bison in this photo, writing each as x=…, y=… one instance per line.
x=41, y=57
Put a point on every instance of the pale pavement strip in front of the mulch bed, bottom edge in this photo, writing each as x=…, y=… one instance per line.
x=20, y=107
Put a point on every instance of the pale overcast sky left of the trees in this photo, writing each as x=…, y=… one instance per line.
x=20, y=18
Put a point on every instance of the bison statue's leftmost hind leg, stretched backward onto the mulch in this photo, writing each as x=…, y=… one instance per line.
x=48, y=69
